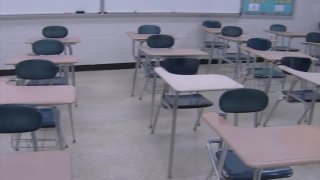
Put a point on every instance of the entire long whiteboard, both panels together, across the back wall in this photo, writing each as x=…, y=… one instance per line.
x=25, y=7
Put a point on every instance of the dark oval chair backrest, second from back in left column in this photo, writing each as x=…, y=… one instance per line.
x=47, y=47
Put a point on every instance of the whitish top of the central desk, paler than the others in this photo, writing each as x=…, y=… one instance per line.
x=200, y=82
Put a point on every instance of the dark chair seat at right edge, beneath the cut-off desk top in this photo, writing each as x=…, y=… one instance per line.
x=304, y=95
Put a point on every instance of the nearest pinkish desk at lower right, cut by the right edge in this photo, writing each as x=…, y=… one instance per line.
x=269, y=147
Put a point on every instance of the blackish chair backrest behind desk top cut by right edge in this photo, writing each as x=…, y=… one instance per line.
x=297, y=63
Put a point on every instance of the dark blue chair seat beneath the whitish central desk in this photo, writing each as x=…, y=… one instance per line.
x=188, y=101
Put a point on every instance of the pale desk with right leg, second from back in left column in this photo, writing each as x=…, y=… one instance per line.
x=63, y=60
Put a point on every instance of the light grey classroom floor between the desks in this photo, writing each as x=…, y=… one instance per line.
x=114, y=141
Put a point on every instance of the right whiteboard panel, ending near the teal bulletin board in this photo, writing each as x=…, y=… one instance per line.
x=179, y=6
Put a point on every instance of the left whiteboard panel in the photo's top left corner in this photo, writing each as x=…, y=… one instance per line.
x=9, y=7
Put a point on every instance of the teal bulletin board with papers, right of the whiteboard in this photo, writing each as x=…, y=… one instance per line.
x=268, y=7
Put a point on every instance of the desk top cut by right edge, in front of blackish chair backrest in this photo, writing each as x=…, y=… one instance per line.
x=313, y=77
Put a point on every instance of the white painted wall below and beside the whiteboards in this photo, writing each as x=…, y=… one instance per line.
x=104, y=39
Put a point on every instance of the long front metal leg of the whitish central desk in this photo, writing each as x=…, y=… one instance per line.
x=173, y=133
